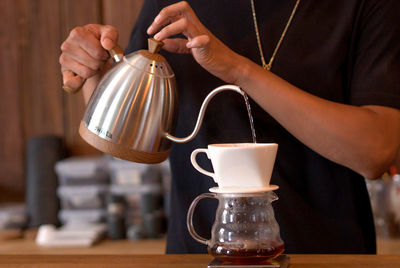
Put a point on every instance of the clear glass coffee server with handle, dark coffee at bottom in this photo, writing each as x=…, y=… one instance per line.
x=245, y=232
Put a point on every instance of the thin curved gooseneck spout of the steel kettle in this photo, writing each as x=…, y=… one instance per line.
x=202, y=112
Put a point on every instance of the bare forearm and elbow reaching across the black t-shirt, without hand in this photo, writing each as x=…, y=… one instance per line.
x=365, y=139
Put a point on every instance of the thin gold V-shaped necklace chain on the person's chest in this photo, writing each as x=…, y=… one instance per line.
x=269, y=65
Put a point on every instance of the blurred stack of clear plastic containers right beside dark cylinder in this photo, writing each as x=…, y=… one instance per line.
x=83, y=187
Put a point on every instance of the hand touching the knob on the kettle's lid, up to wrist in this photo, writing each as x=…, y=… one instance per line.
x=208, y=51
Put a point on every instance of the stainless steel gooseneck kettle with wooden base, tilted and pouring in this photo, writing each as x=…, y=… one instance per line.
x=133, y=111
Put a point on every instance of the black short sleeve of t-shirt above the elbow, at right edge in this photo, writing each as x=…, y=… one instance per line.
x=376, y=69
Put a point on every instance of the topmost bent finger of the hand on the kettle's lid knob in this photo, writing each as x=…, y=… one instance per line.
x=169, y=13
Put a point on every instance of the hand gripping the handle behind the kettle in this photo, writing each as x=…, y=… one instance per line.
x=84, y=53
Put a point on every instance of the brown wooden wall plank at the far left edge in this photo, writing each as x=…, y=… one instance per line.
x=11, y=142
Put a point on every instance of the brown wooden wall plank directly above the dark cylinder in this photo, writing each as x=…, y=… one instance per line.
x=39, y=68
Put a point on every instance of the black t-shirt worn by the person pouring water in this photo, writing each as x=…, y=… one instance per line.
x=346, y=51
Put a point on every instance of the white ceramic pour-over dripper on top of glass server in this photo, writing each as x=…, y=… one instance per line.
x=239, y=167
